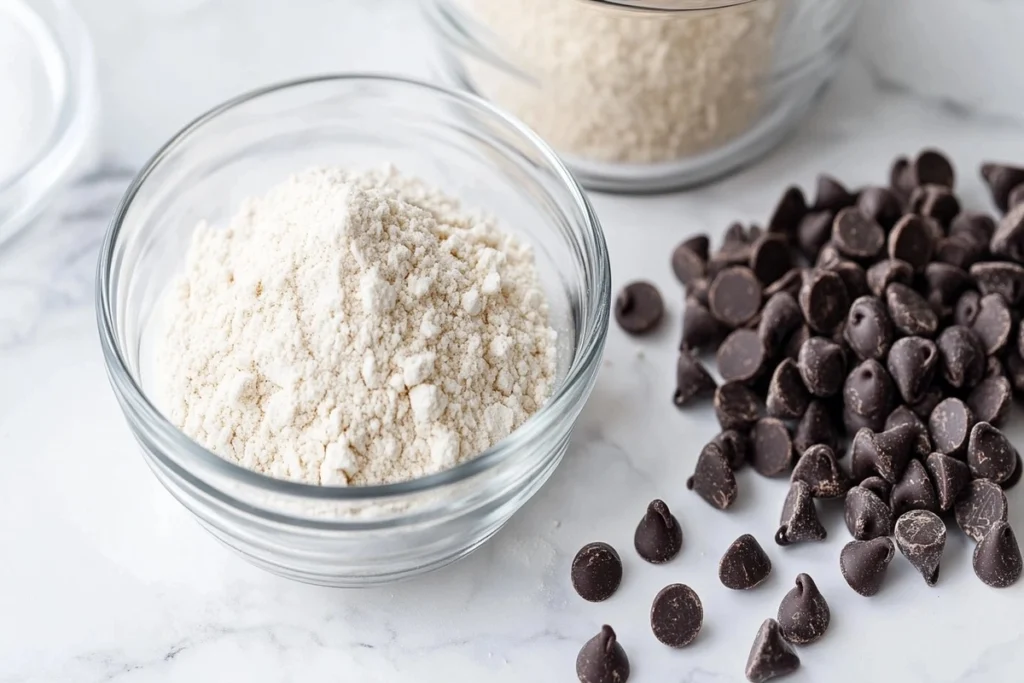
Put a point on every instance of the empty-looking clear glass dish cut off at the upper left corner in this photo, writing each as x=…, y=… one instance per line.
x=50, y=98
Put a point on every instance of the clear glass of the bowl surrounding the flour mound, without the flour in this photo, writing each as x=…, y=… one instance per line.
x=353, y=536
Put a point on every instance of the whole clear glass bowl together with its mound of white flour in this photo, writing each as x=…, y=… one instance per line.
x=253, y=366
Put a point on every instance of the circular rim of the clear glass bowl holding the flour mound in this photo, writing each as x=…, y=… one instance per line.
x=587, y=353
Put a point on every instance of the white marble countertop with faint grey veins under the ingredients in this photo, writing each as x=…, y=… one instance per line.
x=105, y=578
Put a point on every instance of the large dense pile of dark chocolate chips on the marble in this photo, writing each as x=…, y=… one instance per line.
x=884, y=323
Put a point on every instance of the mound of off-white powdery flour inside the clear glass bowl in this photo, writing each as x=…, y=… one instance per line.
x=355, y=329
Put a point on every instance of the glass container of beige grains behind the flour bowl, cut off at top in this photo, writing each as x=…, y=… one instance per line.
x=647, y=96
